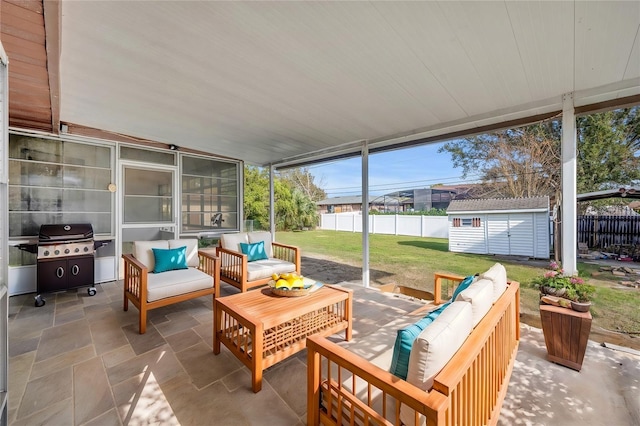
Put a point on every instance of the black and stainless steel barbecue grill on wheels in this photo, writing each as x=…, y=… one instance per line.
x=65, y=258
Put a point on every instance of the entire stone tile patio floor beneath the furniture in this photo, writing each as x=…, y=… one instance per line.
x=79, y=360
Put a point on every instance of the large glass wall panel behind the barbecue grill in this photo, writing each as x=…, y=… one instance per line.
x=54, y=181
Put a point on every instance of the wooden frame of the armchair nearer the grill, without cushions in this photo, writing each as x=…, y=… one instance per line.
x=135, y=285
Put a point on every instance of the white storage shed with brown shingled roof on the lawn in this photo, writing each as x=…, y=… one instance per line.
x=509, y=226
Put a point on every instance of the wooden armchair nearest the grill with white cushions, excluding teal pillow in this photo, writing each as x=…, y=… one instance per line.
x=148, y=290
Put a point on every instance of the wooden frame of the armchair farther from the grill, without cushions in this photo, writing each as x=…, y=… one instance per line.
x=233, y=265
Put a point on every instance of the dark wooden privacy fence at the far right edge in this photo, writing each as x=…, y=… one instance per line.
x=608, y=232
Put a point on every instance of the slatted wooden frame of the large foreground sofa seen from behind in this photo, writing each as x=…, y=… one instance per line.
x=343, y=388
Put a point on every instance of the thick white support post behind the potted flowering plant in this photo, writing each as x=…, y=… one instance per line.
x=569, y=186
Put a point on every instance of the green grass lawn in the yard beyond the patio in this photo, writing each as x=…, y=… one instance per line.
x=411, y=261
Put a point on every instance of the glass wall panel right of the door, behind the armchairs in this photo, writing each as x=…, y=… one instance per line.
x=210, y=191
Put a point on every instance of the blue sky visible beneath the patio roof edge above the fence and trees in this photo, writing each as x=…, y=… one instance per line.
x=418, y=167
